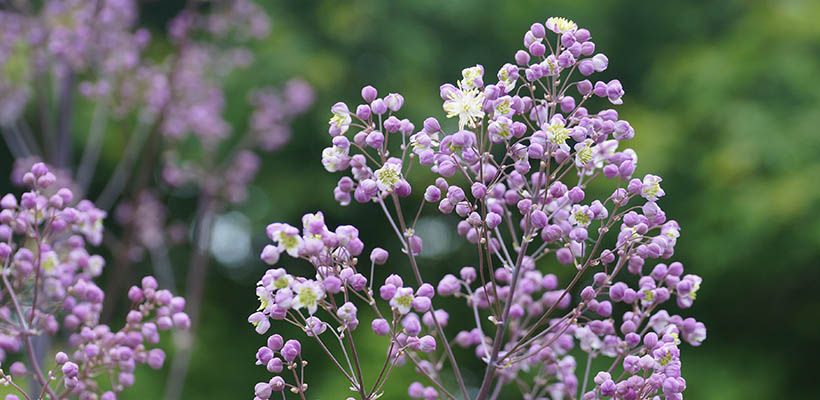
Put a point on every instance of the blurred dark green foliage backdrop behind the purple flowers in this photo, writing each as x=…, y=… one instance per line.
x=725, y=100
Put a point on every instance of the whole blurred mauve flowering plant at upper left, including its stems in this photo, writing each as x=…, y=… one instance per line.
x=59, y=58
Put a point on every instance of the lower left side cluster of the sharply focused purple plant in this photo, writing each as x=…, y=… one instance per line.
x=336, y=284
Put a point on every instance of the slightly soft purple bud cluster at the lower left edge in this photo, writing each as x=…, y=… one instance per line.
x=48, y=284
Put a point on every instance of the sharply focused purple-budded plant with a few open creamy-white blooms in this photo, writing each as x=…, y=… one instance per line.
x=517, y=173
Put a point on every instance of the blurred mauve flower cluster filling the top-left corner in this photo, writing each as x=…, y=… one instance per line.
x=66, y=37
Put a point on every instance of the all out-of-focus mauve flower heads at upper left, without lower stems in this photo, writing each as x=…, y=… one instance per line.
x=182, y=94
